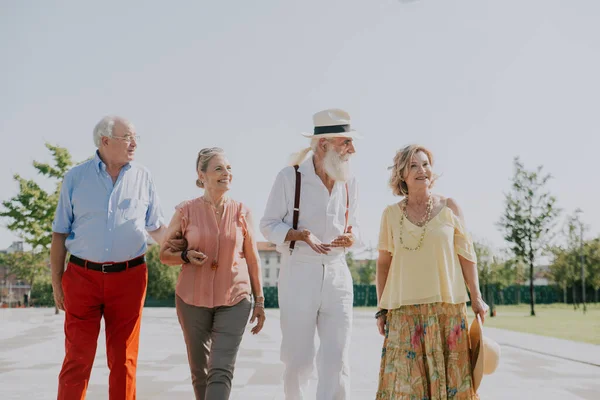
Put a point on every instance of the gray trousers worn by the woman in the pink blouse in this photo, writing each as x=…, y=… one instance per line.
x=212, y=337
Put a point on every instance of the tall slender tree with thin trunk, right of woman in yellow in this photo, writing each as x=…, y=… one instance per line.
x=529, y=215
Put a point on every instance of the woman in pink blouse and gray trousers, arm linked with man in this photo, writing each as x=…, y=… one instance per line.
x=220, y=271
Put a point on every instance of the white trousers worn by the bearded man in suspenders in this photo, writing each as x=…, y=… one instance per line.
x=315, y=294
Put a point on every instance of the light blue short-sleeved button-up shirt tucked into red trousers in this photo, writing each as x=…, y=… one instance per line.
x=106, y=222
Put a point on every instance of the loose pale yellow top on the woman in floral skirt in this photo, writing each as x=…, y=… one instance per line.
x=432, y=273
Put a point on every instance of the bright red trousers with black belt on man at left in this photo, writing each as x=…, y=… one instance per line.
x=90, y=295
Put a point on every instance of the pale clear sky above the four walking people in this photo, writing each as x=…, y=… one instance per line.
x=477, y=81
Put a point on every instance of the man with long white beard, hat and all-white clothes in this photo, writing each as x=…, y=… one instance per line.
x=311, y=216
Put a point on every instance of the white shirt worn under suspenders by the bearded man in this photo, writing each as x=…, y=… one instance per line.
x=324, y=215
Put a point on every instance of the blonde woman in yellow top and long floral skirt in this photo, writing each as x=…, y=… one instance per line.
x=425, y=259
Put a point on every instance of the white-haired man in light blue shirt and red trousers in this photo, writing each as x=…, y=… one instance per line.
x=106, y=205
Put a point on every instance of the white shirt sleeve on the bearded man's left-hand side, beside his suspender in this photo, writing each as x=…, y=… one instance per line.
x=272, y=224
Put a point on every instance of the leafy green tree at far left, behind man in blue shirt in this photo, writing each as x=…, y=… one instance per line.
x=31, y=211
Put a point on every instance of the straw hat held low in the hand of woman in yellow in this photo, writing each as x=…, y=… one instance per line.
x=485, y=353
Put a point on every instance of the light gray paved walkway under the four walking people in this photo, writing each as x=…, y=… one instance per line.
x=32, y=348
